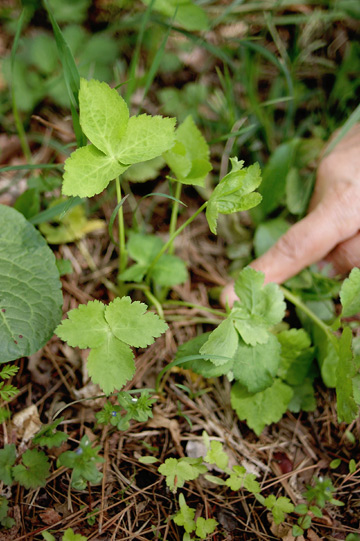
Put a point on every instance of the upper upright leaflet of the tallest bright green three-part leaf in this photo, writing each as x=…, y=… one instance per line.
x=104, y=115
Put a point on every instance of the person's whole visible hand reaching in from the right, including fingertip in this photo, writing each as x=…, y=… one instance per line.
x=330, y=231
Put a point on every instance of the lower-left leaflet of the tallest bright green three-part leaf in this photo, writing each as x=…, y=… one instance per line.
x=88, y=171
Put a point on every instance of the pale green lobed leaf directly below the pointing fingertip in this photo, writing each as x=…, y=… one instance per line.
x=260, y=307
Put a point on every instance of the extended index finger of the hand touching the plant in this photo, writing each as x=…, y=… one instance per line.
x=335, y=219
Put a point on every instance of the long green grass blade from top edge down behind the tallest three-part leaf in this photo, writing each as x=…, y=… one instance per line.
x=71, y=75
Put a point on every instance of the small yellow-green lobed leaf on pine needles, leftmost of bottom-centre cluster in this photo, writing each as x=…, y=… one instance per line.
x=178, y=471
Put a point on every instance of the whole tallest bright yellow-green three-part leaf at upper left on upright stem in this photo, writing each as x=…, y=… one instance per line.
x=117, y=140
